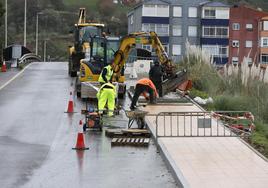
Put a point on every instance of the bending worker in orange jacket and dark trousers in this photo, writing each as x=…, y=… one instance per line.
x=144, y=86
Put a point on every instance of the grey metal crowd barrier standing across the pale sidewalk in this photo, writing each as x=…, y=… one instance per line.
x=204, y=124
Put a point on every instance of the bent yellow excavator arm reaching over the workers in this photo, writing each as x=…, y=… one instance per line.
x=145, y=38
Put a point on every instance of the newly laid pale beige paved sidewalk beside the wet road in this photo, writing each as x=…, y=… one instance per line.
x=208, y=162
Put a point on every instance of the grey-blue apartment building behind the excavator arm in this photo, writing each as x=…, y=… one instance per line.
x=175, y=21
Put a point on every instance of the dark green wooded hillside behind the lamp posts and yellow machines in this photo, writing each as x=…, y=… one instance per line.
x=56, y=21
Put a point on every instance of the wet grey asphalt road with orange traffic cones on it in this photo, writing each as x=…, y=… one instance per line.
x=36, y=138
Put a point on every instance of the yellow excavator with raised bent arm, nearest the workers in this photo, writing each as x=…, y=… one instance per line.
x=91, y=67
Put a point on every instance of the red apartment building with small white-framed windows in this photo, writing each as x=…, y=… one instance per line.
x=244, y=34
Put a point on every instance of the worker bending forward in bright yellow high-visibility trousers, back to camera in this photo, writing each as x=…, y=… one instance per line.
x=106, y=94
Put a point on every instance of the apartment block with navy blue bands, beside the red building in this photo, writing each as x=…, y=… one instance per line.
x=215, y=31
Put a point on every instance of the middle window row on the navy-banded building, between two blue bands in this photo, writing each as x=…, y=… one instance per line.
x=215, y=32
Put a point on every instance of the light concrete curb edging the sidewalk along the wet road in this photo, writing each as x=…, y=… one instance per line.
x=175, y=171
